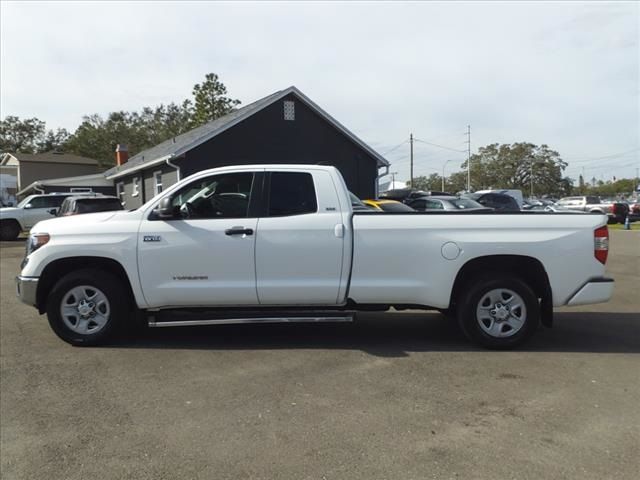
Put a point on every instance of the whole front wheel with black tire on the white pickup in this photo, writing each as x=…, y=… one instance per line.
x=117, y=307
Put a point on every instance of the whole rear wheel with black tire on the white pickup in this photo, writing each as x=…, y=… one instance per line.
x=508, y=334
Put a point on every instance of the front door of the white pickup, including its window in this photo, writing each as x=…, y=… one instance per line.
x=205, y=255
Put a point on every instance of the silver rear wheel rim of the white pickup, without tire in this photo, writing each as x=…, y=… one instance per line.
x=501, y=313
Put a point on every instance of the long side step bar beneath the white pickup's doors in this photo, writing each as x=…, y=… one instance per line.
x=180, y=318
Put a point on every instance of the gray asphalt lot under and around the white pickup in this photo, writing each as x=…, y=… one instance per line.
x=399, y=395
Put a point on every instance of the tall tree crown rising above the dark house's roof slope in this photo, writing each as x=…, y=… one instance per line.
x=210, y=100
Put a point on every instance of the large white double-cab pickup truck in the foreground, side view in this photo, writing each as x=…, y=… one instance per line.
x=281, y=243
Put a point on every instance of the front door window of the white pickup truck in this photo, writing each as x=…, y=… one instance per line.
x=220, y=196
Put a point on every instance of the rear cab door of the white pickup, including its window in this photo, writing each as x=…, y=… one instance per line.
x=300, y=240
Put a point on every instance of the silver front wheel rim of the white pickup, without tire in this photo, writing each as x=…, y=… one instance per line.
x=85, y=309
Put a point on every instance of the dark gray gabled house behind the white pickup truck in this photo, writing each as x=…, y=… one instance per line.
x=285, y=127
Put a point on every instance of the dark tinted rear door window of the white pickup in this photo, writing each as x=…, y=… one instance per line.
x=291, y=193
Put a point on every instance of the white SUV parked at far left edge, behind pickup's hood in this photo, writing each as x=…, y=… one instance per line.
x=28, y=212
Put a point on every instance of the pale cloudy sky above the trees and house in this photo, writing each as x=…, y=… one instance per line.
x=564, y=74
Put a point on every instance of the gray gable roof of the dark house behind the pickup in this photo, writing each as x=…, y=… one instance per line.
x=174, y=147
